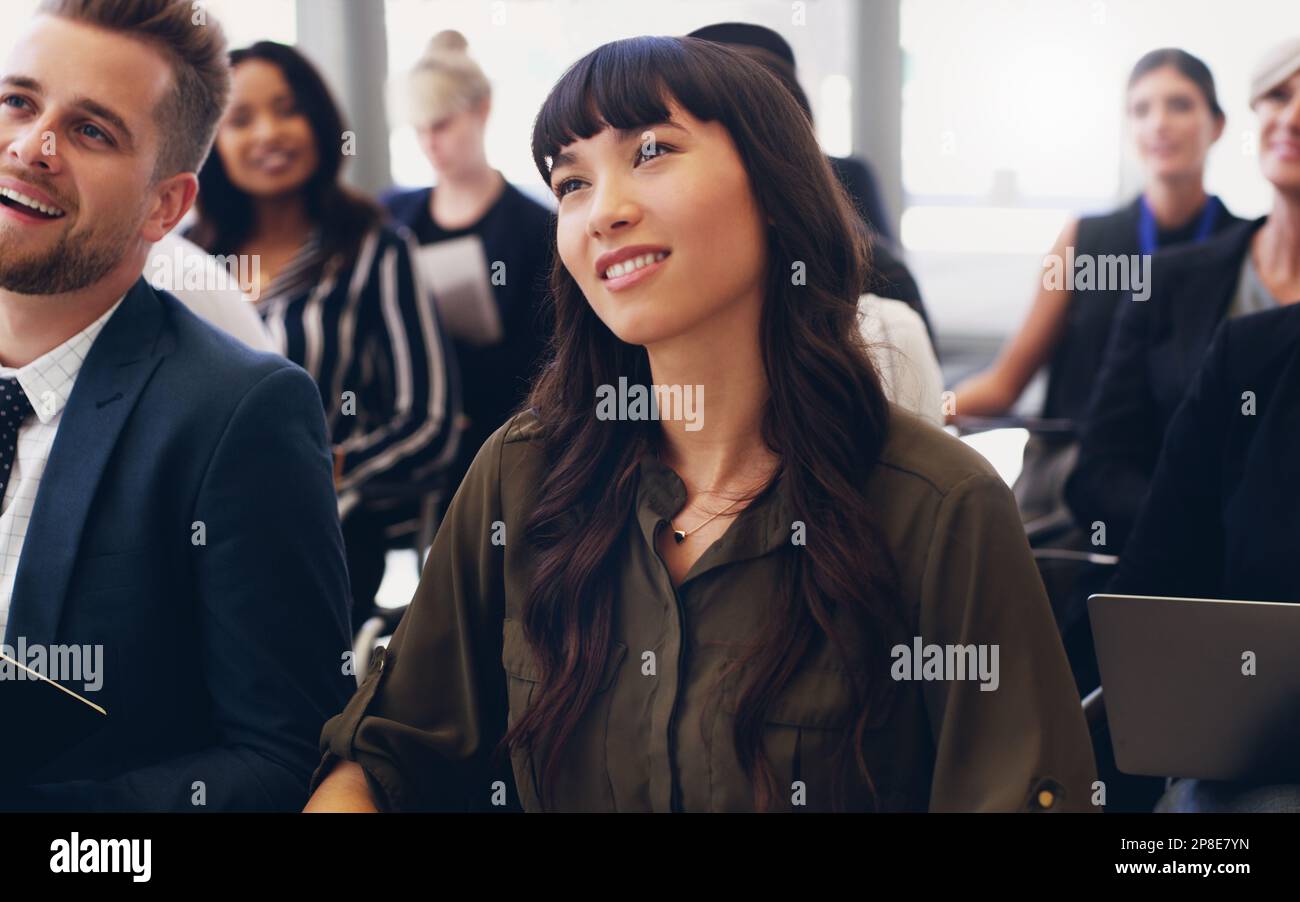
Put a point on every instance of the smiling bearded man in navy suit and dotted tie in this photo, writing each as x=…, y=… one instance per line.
x=167, y=492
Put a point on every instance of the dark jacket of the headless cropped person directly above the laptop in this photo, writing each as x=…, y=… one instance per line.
x=1223, y=519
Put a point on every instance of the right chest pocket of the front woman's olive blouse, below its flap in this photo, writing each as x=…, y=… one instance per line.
x=804, y=731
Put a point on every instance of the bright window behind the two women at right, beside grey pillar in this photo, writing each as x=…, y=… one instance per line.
x=1013, y=123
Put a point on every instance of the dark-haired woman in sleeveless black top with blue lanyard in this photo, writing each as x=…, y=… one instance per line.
x=1176, y=119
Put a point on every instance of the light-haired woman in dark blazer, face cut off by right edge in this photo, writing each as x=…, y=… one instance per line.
x=1158, y=346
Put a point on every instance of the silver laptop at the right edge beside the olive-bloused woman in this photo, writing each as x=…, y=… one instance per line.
x=1180, y=692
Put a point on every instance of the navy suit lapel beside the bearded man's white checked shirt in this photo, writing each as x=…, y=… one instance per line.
x=115, y=372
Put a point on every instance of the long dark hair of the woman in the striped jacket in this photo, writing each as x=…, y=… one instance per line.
x=344, y=216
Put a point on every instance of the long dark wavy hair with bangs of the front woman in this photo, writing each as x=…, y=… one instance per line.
x=826, y=418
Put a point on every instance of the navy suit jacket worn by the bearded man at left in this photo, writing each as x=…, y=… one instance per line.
x=188, y=524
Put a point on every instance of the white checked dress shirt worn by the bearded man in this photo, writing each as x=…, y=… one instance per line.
x=49, y=383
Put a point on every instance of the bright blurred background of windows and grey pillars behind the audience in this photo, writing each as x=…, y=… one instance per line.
x=989, y=123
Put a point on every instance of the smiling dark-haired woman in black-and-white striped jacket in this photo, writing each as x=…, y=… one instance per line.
x=337, y=292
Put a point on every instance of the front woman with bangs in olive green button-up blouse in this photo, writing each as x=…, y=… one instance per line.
x=727, y=612
